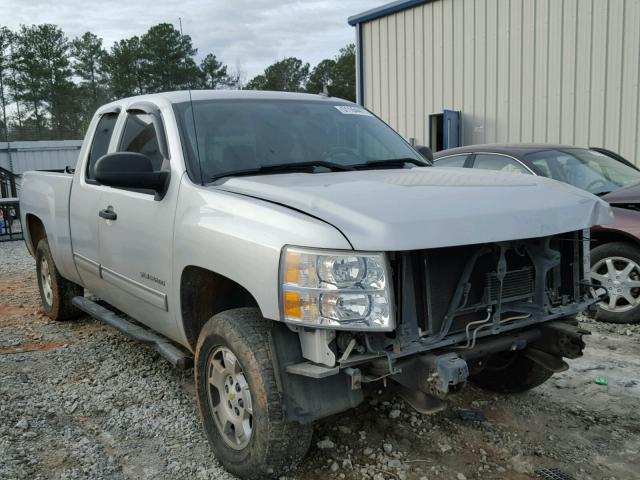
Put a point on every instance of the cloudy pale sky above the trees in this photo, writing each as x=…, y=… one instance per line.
x=249, y=33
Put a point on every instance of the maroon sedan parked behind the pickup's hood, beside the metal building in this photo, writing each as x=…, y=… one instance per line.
x=615, y=253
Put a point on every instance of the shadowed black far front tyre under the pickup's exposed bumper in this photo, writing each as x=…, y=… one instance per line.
x=510, y=372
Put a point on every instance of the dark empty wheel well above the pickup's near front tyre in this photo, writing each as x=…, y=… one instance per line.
x=205, y=293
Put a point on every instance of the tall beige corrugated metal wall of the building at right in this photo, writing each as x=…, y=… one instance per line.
x=550, y=71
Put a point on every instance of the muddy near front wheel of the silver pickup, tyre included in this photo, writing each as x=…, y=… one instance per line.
x=239, y=401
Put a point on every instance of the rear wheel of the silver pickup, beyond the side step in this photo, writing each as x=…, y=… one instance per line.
x=56, y=292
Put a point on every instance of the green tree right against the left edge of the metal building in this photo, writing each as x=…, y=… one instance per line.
x=339, y=75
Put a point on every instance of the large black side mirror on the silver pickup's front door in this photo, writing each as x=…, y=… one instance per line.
x=131, y=170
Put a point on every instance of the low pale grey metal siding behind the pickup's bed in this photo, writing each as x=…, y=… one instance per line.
x=42, y=155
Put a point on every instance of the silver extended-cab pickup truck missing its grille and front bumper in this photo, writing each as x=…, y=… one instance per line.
x=296, y=251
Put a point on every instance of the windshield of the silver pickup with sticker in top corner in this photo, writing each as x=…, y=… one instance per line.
x=247, y=135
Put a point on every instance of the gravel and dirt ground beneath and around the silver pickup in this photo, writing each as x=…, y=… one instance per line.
x=79, y=400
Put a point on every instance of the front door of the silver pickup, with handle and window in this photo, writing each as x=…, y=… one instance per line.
x=136, y=240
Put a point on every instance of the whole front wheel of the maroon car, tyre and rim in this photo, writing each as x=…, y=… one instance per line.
x=616, y=267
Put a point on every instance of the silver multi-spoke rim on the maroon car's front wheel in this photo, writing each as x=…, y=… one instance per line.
x=620, y=277
